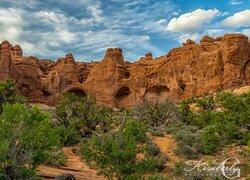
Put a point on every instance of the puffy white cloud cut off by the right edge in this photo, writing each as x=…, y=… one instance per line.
x=240, y=19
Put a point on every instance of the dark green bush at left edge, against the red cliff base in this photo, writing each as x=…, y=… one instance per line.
x=8, y=93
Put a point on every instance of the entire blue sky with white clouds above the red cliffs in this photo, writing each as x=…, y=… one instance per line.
x=86, y=28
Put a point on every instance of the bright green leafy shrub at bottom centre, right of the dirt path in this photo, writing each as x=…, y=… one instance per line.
x=115, y=152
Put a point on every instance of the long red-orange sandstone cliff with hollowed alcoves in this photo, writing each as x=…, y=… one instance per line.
x=191, y=70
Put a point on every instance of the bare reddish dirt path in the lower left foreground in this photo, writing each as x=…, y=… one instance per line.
x=75, y=166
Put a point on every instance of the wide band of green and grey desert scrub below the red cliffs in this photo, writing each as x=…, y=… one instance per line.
x=119, y=143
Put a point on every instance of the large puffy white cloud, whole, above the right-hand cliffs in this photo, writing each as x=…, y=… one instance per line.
x=193, y=21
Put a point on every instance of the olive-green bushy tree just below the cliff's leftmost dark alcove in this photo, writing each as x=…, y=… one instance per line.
x=76, y=117
